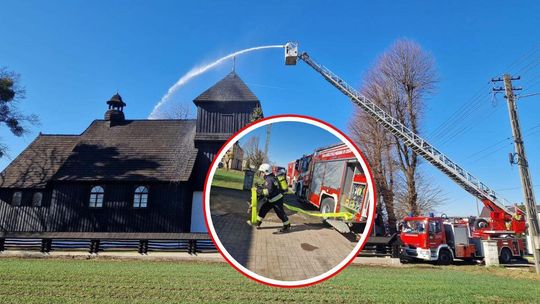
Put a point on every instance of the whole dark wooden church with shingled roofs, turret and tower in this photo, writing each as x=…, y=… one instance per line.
x=121, y=175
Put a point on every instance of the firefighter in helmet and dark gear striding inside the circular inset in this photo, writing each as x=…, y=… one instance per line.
x=273, y=195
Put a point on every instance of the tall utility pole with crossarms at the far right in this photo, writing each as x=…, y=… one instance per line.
x=526, y=183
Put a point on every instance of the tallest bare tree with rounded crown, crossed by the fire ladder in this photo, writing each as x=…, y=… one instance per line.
x=409, y=73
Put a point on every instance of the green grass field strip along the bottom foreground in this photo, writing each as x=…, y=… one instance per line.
x=129, y=281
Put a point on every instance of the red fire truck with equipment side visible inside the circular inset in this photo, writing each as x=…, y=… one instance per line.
x=332, y=180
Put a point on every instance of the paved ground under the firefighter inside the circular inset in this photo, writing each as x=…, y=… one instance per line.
x=310, y=249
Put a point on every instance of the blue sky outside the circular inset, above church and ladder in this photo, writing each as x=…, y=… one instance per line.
x=73, y=55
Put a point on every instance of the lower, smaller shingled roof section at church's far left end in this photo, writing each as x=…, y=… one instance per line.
x=36, y=165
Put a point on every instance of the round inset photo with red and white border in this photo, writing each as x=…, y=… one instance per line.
x=289, y=201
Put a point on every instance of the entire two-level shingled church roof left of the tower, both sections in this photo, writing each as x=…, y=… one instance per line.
x=136, y=150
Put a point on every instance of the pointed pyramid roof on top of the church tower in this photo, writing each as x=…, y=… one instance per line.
x=230, y=88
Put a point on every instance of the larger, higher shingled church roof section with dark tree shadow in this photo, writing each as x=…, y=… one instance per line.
x=136, y=150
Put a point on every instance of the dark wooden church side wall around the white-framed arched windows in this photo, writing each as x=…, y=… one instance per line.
x=169, y=209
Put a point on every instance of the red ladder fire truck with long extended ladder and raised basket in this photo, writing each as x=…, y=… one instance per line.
x=437, y=238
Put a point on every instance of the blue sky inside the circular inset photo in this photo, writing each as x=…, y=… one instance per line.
x=290, y=140
